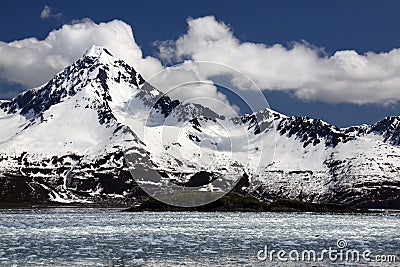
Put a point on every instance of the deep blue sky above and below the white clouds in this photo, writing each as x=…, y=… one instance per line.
x=335, y=25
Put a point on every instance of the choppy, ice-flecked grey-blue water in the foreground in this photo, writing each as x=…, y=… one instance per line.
x=108, y=237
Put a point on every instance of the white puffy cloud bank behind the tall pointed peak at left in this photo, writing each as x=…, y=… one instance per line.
x=31, y=62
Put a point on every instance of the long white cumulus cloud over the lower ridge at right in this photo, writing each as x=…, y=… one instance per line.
x=345, y=76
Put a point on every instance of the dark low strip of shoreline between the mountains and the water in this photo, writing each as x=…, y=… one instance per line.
x=231, y=202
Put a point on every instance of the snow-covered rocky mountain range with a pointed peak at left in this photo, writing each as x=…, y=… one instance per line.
x=81, y=136
